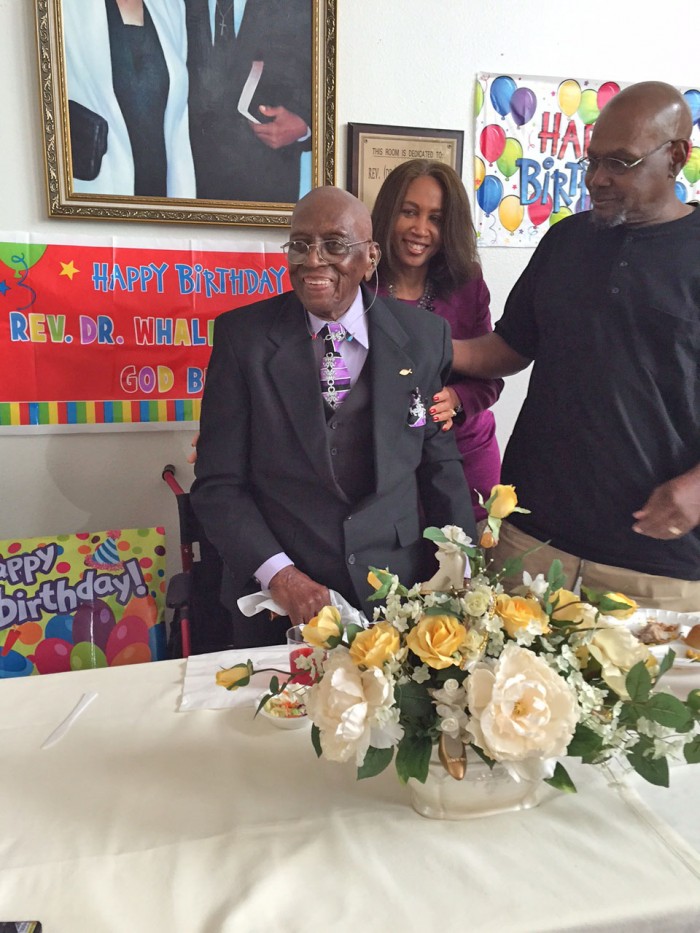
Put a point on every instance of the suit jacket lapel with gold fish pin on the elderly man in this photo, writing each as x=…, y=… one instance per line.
x=394, y=379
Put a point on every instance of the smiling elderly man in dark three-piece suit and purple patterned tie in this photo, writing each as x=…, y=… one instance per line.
x=301, y=491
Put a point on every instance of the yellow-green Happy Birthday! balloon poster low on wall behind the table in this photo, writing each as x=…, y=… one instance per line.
x=78, y=601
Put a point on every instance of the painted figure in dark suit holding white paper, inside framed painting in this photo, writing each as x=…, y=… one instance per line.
x=249, y=64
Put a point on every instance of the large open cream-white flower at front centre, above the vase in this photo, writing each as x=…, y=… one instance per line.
x=521, y=710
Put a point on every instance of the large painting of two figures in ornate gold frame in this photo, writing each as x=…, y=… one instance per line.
x=192, y=111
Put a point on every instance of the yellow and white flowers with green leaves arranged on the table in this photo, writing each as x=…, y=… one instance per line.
x=522, y=678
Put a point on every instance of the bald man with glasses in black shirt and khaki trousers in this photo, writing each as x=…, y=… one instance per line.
x=606, y=449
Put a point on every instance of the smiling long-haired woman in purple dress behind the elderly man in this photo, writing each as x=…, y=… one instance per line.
x=422, y=222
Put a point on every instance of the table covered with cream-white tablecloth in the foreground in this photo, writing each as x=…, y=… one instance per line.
x=146, y=819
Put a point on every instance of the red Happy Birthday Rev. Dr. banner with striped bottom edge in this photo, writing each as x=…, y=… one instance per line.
x=109, y=335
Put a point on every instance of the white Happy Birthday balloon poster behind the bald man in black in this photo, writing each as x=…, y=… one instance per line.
x=530, y=133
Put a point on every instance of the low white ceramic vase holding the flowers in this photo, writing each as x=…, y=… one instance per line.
x=483, y=791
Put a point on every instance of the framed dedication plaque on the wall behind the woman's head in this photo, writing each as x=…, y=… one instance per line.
x=374, y=150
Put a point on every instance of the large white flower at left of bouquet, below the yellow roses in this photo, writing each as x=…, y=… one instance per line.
x=352, y=709
